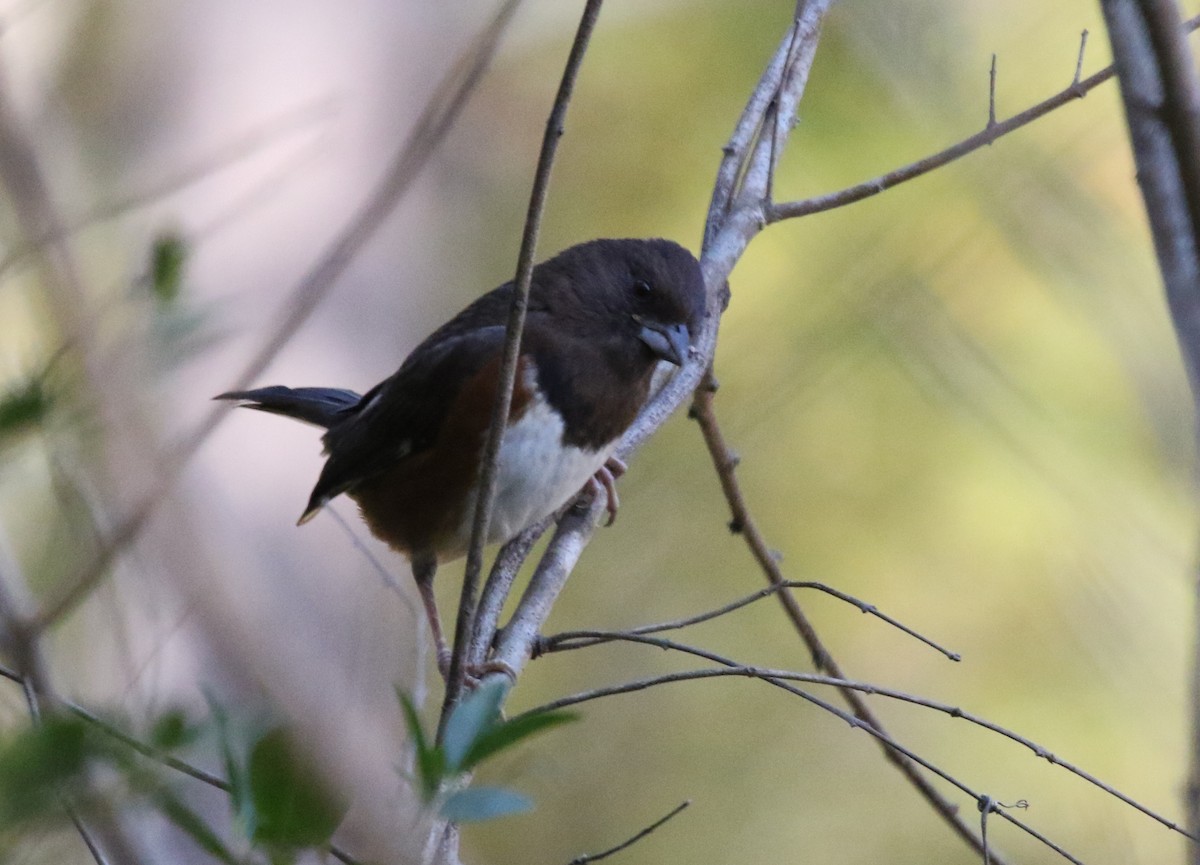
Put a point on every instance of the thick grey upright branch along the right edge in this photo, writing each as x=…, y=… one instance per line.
x=1162, y=100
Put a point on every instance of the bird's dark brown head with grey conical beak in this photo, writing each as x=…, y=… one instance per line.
x=644, y=297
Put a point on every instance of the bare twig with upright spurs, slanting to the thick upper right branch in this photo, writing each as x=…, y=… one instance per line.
x=830, y=201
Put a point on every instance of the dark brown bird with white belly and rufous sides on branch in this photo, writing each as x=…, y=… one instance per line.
x=605, y=322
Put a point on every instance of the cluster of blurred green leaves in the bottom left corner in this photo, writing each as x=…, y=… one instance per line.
x=51, y=773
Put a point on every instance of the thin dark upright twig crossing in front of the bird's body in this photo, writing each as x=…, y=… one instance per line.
x=489, y=470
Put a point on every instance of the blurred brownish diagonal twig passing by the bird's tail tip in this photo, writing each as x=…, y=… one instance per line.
x=431, y=129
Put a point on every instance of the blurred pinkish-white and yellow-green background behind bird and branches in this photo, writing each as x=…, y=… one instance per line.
x=961, y=401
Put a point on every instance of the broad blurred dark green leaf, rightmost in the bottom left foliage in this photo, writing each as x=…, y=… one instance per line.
x=293, y=806
